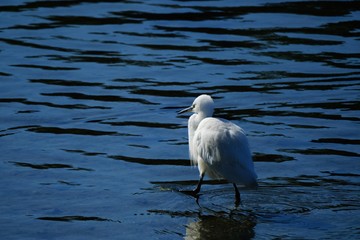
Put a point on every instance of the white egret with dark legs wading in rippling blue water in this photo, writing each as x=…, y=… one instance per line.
x=218, y=147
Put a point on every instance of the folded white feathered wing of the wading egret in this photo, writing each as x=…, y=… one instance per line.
x=224, y=148
